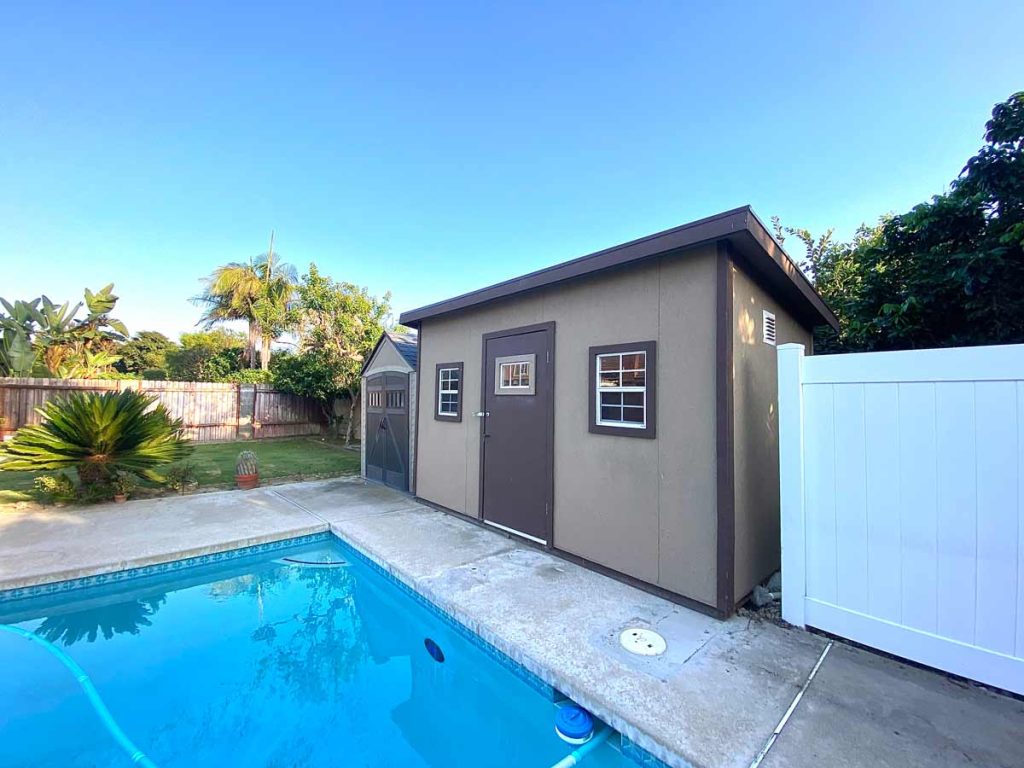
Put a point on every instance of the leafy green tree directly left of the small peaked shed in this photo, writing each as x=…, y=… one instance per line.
x=339, y=323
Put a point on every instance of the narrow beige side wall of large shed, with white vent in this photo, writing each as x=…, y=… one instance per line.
x=756, y=431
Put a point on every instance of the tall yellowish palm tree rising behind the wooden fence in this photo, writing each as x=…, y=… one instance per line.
x=260, y=292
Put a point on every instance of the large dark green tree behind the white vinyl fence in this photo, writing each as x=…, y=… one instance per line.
x=950, y=272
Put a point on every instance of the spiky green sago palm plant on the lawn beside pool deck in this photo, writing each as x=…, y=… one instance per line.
x=98, y=435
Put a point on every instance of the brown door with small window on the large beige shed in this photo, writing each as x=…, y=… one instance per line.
x=518, y=433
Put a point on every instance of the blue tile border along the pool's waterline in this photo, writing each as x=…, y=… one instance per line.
x=629, y=749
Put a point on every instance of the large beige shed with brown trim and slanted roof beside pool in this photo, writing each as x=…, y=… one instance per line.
x=620, y=409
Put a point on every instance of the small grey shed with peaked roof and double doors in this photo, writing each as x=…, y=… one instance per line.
x=389, y=389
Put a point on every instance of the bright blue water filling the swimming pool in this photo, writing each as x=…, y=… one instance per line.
x=261, y=662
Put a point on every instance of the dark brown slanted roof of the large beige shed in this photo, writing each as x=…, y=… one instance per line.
x=754, y=245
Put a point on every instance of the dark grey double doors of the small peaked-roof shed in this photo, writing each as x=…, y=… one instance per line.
x=388, y=430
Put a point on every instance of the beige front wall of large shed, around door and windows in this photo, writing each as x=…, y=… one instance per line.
x=645, y=508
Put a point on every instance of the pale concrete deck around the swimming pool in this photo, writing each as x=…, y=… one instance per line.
x=712, y=700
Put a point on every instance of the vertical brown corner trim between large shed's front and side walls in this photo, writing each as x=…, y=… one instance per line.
x=724, y=430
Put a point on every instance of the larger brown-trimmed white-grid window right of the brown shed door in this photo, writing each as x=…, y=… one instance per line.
x=622, y=390
